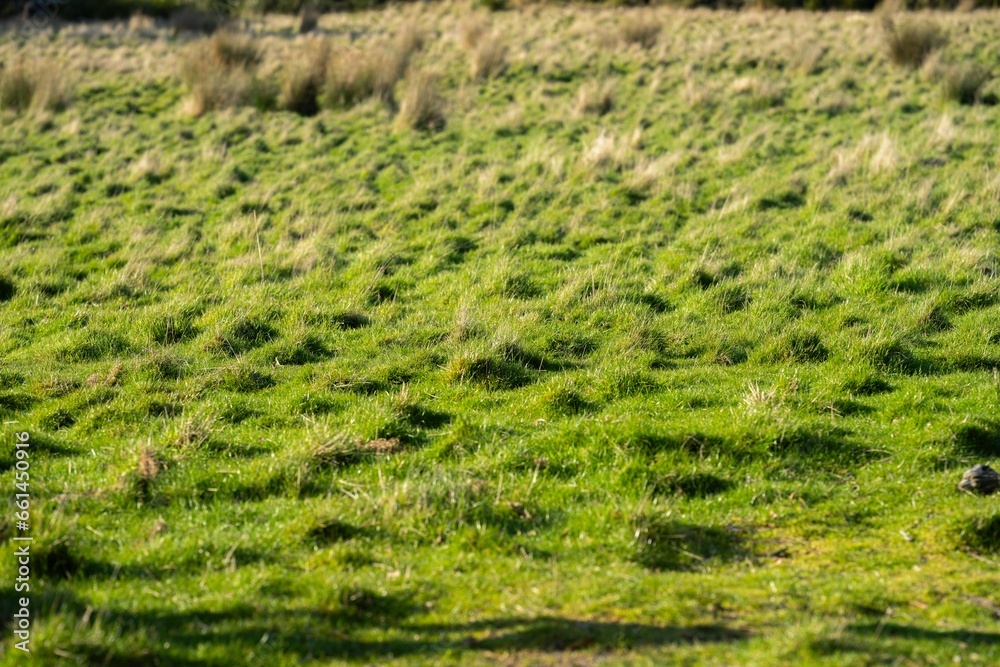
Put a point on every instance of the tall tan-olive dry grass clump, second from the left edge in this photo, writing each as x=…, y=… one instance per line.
x=220, y=73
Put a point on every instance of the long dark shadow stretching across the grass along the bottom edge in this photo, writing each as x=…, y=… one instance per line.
x=342, y=630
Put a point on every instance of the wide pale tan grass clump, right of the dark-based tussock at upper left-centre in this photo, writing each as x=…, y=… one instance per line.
x=354, y=76
